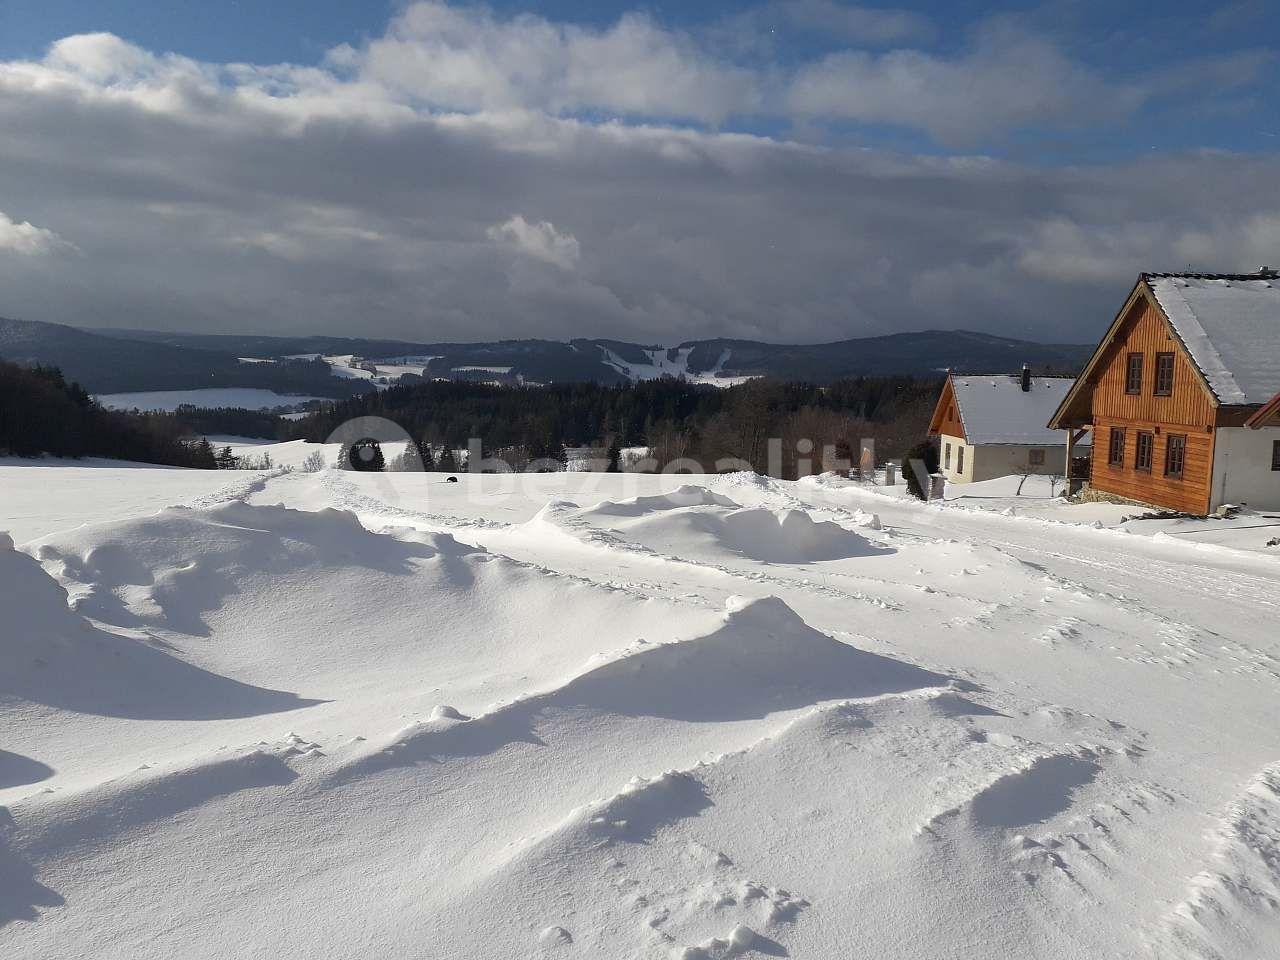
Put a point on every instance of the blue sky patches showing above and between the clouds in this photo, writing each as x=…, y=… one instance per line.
x=1118, y=42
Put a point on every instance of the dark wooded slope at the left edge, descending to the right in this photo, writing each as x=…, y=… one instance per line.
x=42, y=413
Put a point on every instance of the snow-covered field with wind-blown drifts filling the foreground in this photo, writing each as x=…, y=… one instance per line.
x=620, y=716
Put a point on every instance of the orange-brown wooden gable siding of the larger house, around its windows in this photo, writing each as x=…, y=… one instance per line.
x=1190, y=410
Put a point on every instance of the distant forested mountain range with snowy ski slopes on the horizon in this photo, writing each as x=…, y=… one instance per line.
x=117, y=362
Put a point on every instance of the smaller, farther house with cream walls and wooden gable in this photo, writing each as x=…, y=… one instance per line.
x=995, y=426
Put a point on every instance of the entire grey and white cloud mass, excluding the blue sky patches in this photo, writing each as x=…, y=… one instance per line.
x=295, y=200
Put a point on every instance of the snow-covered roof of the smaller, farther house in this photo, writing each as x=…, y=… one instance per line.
x=996, y=410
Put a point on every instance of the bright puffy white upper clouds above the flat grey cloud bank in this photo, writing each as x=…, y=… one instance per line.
x=440, y=57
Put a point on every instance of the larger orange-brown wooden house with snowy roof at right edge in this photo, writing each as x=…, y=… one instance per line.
x=1182, y=395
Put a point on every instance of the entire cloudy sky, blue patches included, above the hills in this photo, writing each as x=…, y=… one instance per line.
x=789, y=171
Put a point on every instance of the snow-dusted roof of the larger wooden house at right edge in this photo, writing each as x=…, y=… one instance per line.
x=1232, y=330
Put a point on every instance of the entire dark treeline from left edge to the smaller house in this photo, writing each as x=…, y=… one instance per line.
x=788, y=429
